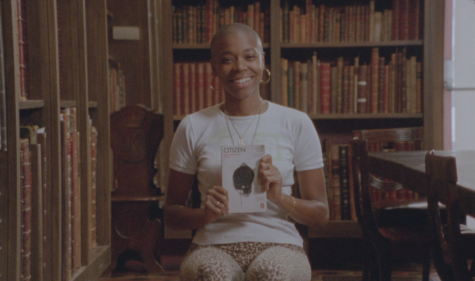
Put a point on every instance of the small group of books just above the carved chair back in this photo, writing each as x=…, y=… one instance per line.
x=116, y=86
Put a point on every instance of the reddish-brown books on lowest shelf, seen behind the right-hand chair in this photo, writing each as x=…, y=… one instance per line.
x=340, y=189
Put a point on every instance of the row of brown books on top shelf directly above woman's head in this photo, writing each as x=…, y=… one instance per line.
x=198, y=24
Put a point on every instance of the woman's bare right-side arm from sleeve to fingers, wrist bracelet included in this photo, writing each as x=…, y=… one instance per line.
x=312, y=208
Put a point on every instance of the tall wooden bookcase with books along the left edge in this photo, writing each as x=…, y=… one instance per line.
x=61, y=46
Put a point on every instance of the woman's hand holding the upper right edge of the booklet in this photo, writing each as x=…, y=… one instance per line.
x=270, y=179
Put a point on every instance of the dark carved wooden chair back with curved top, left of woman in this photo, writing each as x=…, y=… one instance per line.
x=136, y=133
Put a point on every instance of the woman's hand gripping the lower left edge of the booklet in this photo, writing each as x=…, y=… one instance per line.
x=217, y=203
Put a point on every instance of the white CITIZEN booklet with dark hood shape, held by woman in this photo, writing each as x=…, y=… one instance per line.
x=239, y=166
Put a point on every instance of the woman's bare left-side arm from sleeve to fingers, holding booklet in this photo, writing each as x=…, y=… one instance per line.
x=178, y=216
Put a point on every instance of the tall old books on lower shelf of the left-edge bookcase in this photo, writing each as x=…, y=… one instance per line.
x=33, y=157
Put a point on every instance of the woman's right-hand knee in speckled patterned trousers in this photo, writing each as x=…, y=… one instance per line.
x=279, y=263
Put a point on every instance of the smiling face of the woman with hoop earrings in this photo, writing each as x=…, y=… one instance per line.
x=239, y=64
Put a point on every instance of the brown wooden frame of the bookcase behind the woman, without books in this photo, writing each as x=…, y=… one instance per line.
x=428, y=49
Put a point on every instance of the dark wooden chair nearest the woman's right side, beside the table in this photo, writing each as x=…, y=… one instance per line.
x=383, y=244
